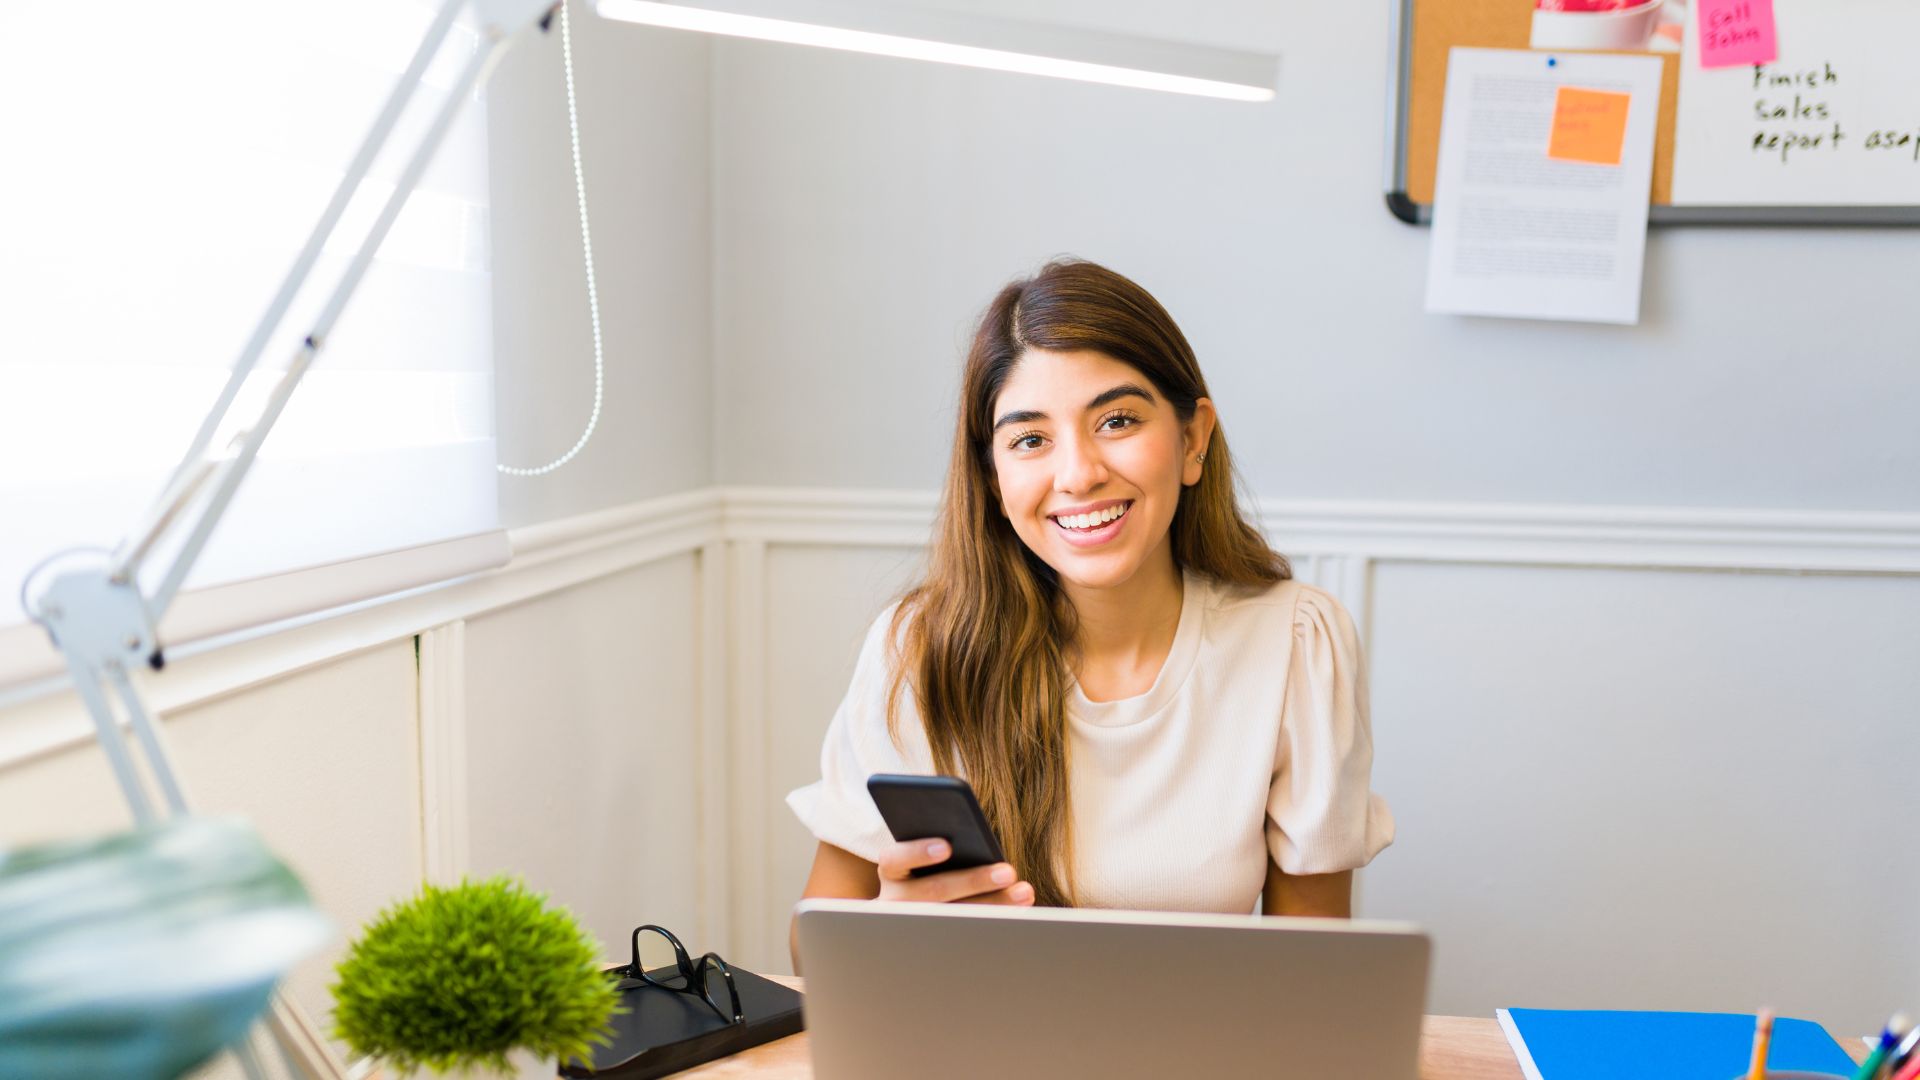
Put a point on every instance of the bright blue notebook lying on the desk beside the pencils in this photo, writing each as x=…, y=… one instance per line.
x=1660, y=1046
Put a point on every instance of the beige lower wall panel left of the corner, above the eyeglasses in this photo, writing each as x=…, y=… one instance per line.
x=585, y=749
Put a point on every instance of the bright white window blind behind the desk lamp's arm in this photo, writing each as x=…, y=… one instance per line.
x=164, y=164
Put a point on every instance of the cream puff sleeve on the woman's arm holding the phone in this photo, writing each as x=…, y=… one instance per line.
x=859, y=745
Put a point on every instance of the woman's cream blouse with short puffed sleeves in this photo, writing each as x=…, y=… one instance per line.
x=1253, y=745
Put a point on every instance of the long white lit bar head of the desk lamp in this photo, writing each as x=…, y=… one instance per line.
x=888, y=28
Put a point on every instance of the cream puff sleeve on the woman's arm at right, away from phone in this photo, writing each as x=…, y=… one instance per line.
x=1322, y=812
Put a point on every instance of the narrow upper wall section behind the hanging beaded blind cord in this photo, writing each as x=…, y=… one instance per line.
x=644, y=130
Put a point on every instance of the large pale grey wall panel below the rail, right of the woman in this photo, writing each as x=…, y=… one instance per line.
x=1650, y=789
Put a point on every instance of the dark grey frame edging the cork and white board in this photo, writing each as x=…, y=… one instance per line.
x=1403, y=207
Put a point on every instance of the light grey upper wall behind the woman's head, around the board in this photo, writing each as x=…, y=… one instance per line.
x=867, y=210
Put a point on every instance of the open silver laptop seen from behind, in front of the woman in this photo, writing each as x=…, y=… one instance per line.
x=949, y=991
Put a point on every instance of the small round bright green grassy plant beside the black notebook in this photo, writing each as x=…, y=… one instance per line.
x=458, y=977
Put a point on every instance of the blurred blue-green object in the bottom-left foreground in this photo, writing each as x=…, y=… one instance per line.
x=145, y=954
